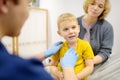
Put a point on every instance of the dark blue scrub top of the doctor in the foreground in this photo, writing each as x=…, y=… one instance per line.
x=15, y=68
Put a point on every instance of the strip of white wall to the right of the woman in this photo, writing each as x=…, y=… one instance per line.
x=114, y=19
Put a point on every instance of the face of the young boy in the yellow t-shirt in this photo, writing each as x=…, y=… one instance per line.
x=69, y=30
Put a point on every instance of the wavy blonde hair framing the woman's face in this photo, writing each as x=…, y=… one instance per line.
x=105, y=11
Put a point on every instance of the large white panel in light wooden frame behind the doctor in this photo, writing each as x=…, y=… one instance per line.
x=35, y=40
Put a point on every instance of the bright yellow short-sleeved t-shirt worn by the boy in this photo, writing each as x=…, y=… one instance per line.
x=83, y=49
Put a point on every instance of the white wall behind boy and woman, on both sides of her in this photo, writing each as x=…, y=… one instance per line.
x=56, y=7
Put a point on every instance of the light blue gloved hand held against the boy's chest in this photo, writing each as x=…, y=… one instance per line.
x=69, y=58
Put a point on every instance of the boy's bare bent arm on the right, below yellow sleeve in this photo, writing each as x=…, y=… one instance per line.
x=87, y=70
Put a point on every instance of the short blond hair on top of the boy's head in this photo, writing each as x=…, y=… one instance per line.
x=66, y=17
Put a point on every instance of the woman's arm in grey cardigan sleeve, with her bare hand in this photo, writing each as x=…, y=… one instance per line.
x=106, y=43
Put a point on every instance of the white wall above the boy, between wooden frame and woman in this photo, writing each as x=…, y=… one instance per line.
x=55, y=8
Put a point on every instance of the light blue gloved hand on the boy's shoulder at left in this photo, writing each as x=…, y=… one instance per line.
x=53, y=49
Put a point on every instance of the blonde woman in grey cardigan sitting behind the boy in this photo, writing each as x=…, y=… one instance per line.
x=96, y=30
